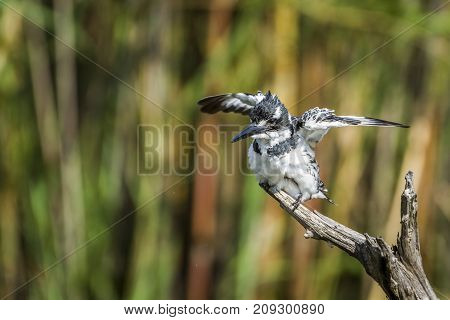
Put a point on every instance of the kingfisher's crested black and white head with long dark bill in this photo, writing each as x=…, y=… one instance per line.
x=269, y=120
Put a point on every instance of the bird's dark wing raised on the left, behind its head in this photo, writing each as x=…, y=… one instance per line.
x=231, y=102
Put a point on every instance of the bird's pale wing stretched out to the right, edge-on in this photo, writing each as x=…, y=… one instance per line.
x=316, y=122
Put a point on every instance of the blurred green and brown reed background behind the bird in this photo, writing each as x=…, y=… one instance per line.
x=68, y=170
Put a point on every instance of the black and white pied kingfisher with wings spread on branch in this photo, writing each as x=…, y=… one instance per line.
x=282, y=154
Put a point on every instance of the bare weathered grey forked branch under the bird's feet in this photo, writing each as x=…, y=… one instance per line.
x=397, y=269
